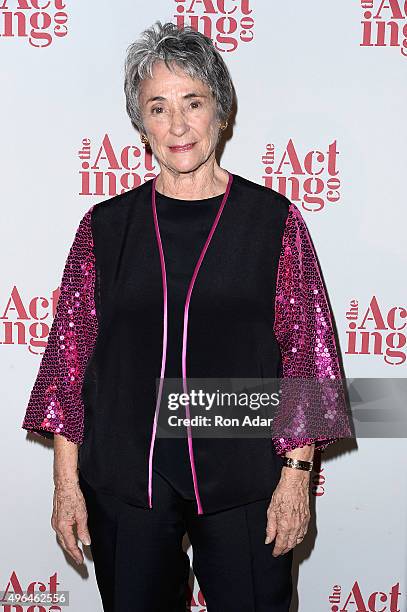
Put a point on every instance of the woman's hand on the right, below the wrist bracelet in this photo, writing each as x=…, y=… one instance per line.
x=288, y=513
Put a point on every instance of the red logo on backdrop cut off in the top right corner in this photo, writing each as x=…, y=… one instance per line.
x=386, y=25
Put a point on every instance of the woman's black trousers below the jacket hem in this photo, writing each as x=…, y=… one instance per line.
x=140, y=564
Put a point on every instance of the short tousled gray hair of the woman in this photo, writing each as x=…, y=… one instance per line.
x=188, y=49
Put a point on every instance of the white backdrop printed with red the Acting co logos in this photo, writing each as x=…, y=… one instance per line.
x=321, y=100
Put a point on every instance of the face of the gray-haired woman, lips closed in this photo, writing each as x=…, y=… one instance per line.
x=178, y=111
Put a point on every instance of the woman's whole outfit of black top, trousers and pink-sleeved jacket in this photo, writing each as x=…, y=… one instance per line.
x=158, y=287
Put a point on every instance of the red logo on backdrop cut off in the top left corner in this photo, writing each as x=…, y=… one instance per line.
x=38, y=21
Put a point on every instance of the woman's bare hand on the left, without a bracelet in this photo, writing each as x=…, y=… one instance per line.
x=69, y=508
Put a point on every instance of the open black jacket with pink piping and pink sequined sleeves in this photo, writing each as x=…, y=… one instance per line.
x=256, y=308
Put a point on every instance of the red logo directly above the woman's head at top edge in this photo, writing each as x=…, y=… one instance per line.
x=226, y=23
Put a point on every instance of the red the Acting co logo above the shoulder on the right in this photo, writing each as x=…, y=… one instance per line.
x=311, y=180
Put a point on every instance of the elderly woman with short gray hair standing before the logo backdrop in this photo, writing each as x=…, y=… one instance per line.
x=198, y=272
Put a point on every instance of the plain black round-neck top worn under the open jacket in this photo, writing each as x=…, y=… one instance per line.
x=184, y=227
